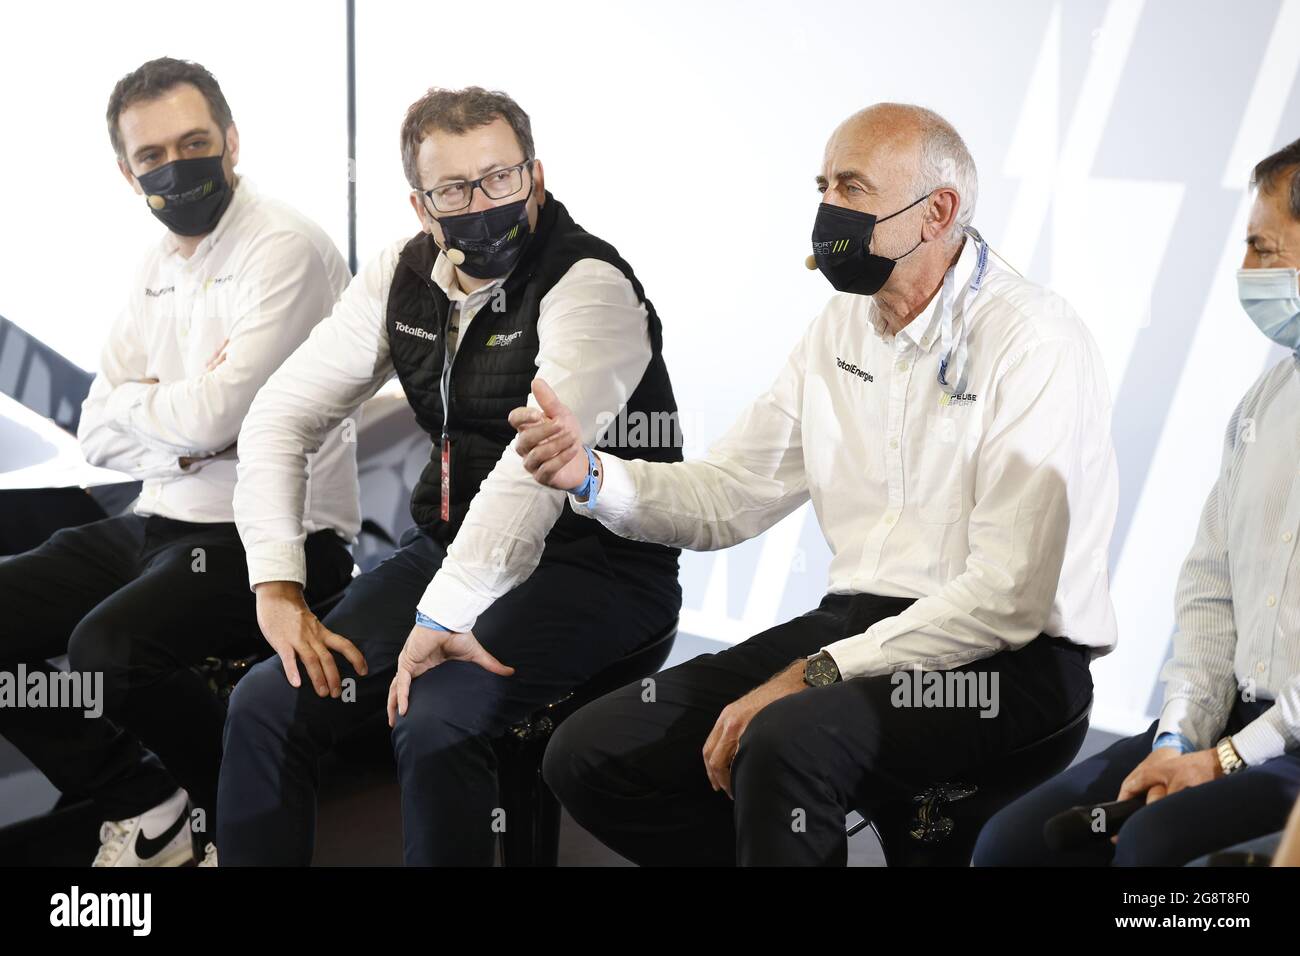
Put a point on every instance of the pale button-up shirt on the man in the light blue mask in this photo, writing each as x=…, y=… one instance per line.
x=1238, y=600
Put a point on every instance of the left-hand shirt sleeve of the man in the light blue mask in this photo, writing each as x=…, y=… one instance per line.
x=1201, y=678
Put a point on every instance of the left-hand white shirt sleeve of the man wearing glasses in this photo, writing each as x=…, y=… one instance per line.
x=343, y=364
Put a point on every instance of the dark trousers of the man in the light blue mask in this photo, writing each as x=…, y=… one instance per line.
x=1172, y=832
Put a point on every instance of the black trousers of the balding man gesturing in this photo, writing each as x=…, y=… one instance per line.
x=630, y=767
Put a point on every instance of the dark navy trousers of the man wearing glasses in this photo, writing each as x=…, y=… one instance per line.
x=580, y=611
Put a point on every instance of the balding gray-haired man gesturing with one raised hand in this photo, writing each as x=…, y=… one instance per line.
x=951, y=425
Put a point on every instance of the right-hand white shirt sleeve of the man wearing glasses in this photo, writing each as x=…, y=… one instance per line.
x=593, y=349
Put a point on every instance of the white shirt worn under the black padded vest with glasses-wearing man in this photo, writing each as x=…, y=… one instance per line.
x=593, y=349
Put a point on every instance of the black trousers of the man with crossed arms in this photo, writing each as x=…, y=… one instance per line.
x=140, y=600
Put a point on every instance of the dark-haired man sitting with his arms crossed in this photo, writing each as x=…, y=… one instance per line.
x=229, y=292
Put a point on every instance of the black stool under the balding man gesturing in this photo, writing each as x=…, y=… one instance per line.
x=939, y=827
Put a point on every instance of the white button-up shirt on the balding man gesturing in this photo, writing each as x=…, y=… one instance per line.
x=993, y=508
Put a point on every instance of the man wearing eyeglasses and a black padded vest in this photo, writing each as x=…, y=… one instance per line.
x=500, y=600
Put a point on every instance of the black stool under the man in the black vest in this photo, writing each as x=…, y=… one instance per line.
x=532, y=832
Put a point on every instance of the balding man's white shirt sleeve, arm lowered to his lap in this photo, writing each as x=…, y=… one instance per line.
x=1017, y=530
